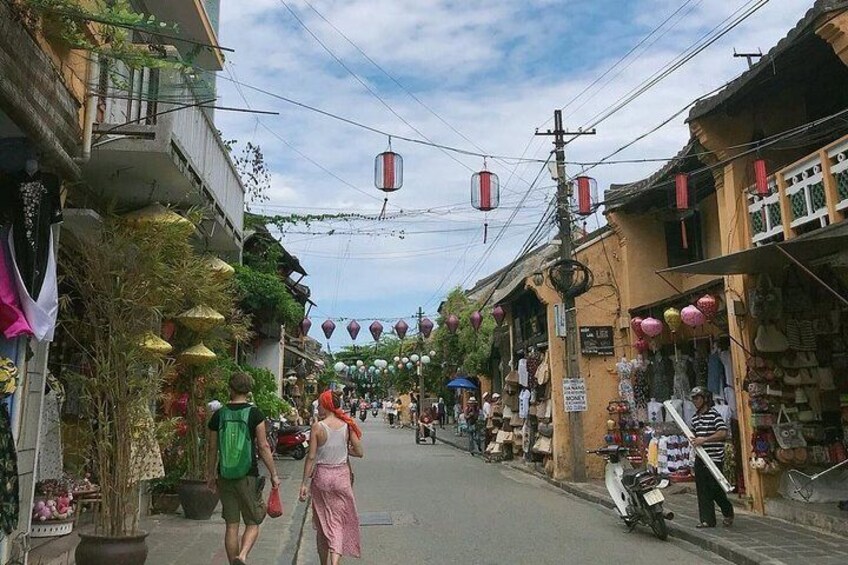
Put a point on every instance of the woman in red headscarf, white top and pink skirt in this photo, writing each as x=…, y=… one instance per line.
x=328, y=478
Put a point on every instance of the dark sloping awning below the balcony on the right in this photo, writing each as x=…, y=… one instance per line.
x=773, y=257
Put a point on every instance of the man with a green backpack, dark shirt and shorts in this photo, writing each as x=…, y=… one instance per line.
x=236, y=431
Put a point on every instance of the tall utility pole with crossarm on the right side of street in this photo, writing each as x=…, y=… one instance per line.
x=572, y=366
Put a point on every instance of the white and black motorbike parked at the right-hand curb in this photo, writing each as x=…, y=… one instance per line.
x=637, y=494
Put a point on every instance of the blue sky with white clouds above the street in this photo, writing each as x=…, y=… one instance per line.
x=479, y=76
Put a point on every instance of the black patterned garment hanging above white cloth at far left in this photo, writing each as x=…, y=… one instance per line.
x=35, y=206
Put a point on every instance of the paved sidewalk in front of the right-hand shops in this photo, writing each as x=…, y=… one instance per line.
x=752, y=540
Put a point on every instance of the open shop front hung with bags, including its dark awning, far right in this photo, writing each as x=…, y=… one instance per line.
x=793, y=344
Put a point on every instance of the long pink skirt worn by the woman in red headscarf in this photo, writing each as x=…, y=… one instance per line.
x=334, y=512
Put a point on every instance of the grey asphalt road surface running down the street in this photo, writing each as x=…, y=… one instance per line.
x=446, y=506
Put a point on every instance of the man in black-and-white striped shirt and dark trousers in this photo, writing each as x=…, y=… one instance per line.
x=710, y=432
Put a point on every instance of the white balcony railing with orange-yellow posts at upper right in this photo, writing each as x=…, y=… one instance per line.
x=810, y=193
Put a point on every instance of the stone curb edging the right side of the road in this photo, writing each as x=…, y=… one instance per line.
x=717, y=547
